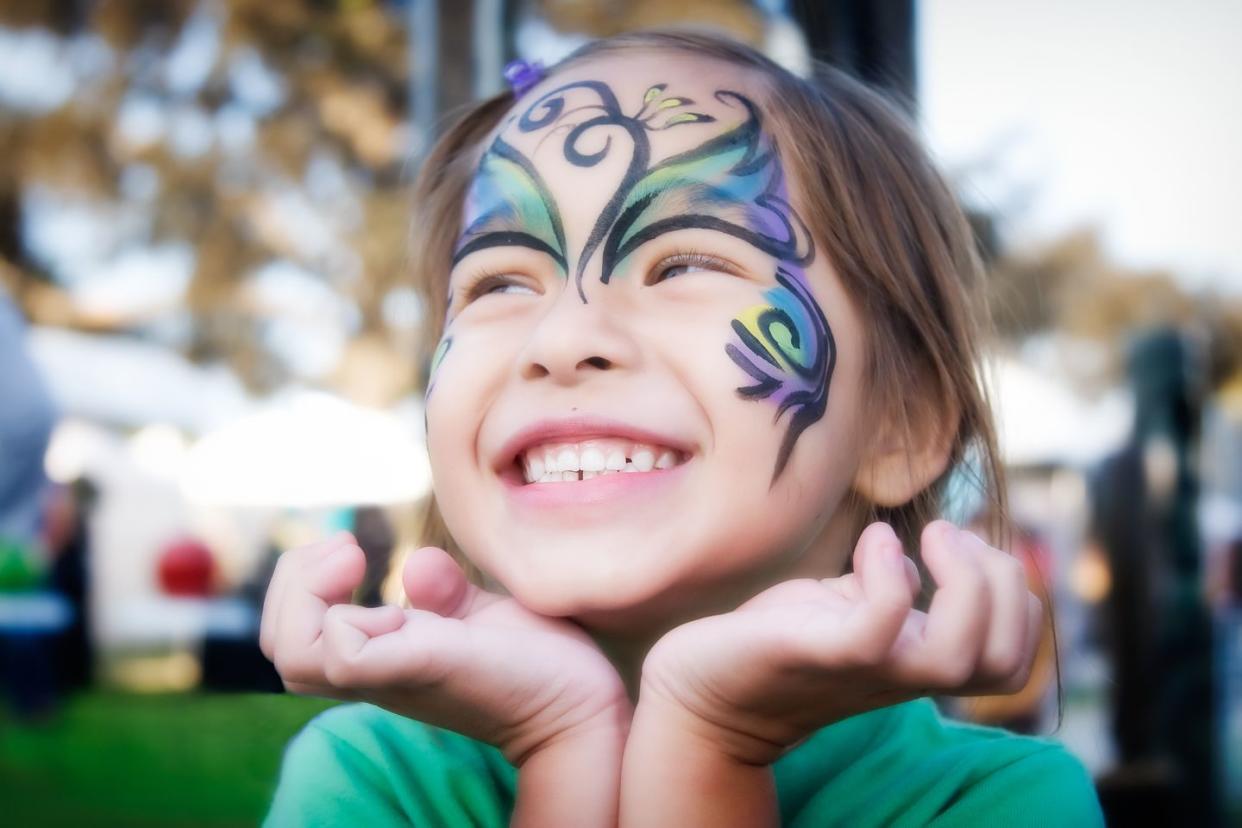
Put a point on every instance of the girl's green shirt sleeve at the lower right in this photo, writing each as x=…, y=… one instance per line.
x=1045, y=788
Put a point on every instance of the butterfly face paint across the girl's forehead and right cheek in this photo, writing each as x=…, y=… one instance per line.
x=731, y=184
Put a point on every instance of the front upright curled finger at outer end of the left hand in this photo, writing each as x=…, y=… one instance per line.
x=314, y=587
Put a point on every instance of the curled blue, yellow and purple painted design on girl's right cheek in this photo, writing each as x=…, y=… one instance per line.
x=788, y=349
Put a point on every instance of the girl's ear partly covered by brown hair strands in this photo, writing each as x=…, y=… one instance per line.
x=907, y=457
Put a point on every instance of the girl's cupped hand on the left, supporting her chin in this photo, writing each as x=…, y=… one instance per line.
x=461, y=659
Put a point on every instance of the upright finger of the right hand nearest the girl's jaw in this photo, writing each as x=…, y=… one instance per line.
x=887, y=595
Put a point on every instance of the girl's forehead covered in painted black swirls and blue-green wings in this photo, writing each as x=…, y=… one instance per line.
x=665, y=127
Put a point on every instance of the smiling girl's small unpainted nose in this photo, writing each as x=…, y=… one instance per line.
x=577, y=341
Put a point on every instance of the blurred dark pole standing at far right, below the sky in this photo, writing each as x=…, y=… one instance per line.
x=1161, y=629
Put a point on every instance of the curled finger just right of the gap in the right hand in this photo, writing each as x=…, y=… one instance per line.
x=957, y=624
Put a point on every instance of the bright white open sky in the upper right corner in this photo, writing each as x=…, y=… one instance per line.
x=1122, y=116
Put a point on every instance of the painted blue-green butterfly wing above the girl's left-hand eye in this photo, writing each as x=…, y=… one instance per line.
x=510, y=205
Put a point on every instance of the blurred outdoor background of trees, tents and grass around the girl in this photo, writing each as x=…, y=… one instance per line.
x=207, y=354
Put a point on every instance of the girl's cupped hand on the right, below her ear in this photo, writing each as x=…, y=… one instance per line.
x=807, y=654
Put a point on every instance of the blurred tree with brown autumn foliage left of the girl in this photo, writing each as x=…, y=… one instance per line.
x=255, y=131
